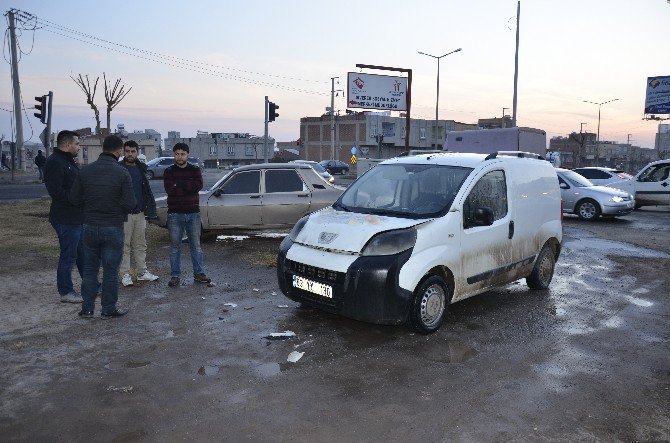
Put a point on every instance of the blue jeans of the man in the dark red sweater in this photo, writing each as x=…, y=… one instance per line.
x=177, y=224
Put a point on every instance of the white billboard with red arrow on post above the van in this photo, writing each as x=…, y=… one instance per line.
x=372, y=91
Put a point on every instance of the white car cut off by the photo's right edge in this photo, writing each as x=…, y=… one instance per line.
x=651, y=186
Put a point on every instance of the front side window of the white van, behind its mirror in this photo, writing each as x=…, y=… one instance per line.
x=489, y=192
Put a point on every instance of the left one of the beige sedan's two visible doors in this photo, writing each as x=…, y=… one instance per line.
x=237, y=203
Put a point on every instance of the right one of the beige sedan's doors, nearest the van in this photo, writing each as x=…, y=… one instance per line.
x=286, y=197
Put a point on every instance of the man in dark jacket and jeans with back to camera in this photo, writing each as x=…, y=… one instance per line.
x=106, y=191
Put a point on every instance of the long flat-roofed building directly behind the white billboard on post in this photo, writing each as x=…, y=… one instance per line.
x=374, y=134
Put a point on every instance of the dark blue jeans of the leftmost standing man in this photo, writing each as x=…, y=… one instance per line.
x=71, y=252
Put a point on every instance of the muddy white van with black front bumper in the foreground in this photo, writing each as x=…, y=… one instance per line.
x=415, y=234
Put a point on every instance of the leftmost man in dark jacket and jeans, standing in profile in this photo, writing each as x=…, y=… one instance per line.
x=60, y=172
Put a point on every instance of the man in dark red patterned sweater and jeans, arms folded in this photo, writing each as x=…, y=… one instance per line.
x=183, y=182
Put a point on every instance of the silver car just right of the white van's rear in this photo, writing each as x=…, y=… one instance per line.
x=588, y=201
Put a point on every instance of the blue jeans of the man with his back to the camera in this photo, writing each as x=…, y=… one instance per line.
x=102, y=244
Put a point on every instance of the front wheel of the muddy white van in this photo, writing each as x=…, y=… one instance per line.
x=430, y=305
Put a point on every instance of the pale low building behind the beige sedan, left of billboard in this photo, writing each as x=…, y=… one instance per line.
x=222, y=149
